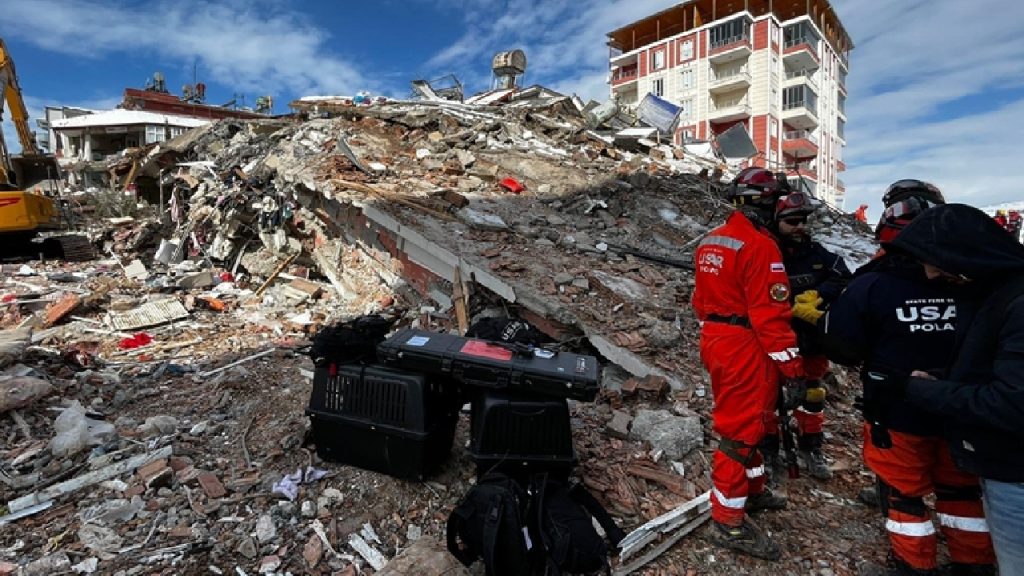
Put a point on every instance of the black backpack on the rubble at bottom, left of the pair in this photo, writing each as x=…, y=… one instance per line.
x=491, y=524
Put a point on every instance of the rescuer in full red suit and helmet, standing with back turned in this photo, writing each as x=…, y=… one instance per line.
x=742, y=297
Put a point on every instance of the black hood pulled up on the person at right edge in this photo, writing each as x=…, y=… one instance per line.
x=961, y=240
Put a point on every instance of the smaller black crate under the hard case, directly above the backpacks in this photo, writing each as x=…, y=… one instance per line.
x=517, y=433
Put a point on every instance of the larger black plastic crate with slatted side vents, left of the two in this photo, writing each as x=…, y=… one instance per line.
x=381, y=420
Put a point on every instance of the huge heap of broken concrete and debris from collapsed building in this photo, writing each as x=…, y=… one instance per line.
x=153, y=402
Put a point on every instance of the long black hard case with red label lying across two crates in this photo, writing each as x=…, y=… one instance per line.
x=480, y=363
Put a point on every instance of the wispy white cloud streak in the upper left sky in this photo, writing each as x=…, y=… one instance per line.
x=254, y=47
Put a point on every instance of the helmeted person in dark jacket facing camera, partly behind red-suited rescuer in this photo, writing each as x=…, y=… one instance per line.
x=814, y=271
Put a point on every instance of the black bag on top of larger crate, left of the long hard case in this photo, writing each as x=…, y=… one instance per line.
x=352, y=342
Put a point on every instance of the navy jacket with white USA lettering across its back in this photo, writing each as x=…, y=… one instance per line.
x=892, y=320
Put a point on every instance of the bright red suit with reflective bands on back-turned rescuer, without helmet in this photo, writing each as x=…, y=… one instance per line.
x=738, y=268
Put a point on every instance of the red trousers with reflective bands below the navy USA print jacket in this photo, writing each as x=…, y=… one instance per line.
x=913, y=469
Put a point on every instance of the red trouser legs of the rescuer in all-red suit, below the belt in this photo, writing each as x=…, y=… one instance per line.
x=745, y=390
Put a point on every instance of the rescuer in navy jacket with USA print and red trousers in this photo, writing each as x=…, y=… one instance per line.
x=894, y=321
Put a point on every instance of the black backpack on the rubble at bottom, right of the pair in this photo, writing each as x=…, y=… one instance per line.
x=562, y=517
